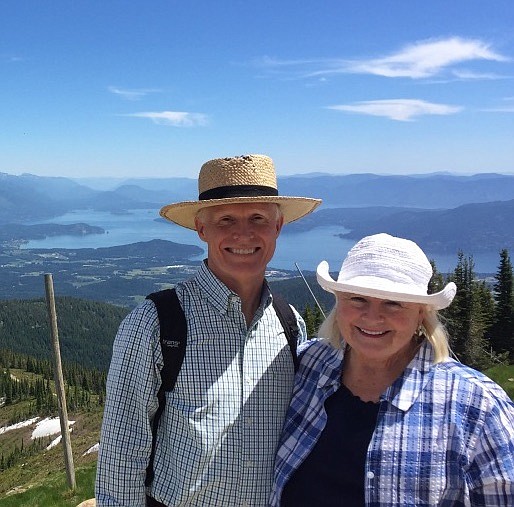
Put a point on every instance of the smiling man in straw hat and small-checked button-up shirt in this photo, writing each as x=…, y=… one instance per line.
x=217, y=436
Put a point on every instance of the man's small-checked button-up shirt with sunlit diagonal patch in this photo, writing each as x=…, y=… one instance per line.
x=219, y=432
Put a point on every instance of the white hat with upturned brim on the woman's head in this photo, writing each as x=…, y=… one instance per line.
x=386, y=267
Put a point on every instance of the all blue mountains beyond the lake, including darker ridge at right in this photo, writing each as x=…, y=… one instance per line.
x=442, y=212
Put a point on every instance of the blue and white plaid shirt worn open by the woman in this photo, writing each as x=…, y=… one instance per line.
x=444, y=433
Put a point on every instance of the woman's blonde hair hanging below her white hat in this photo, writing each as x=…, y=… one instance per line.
x=435, y=332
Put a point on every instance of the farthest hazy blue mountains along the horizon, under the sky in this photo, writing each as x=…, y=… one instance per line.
x=22, y=196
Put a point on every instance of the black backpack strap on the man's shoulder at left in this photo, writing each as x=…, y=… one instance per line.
x=173, y=338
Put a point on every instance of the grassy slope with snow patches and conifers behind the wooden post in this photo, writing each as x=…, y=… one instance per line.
x=28, y=399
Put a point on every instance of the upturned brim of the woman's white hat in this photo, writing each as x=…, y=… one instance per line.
x=438, y=300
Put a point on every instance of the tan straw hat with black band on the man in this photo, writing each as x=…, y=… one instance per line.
x=248, y=178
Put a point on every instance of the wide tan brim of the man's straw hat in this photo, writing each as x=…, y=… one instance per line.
x=293, y=208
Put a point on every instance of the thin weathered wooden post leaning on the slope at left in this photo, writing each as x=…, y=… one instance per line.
x=59, y=383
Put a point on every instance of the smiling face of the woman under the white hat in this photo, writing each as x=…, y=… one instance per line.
x=377, y=330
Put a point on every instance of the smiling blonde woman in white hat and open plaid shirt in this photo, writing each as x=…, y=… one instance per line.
x=381, y=415
